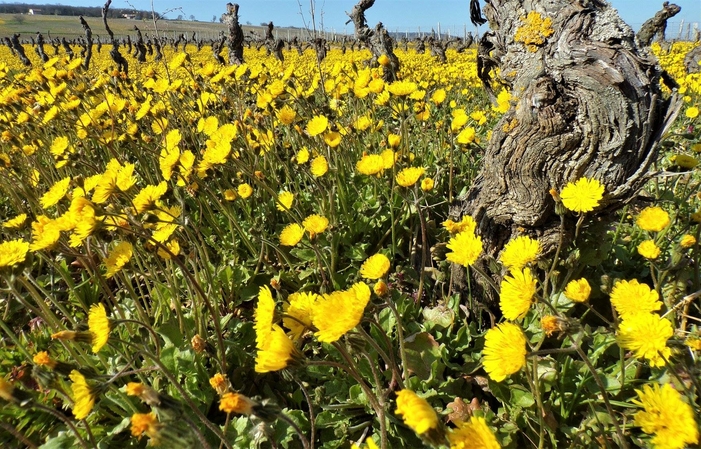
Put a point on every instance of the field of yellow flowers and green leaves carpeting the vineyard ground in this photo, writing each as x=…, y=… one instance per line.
x=199, y=255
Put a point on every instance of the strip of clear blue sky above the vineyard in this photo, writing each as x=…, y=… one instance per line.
x=397, y=15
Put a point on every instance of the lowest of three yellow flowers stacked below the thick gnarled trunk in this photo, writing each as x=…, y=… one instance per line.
x=504, y=351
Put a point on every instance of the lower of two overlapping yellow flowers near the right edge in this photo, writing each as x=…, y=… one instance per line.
x=646, y=334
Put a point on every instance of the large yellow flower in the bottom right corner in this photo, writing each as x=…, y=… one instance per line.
x=666, y=416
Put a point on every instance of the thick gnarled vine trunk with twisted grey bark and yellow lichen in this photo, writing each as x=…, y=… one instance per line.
x=586, y=101
